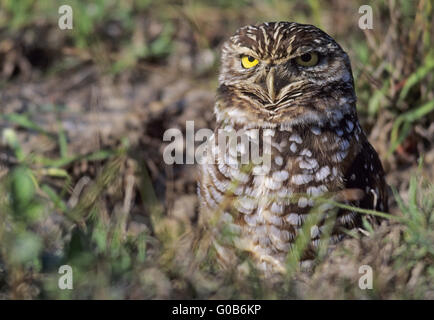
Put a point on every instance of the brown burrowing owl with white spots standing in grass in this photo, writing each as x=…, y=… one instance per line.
x=293, y=83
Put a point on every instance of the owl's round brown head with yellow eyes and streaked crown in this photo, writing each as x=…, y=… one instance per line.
x=284, y=73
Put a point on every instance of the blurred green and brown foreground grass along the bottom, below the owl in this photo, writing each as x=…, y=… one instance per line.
x=109, y=262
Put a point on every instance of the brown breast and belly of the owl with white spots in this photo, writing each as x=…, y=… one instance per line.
x=268, y=202
